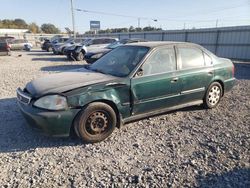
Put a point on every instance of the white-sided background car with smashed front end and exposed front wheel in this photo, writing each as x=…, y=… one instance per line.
x=77, y=52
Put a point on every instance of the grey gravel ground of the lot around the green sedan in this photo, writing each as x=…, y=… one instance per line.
x=191, y=147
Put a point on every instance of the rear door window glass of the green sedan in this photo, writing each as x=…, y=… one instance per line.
x=190, y=57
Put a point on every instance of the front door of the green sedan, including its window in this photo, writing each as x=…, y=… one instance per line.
x=155, y=85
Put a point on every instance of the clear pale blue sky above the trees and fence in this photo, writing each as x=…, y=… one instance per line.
x=170, y=14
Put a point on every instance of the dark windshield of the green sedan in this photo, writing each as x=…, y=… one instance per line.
x=120, y=61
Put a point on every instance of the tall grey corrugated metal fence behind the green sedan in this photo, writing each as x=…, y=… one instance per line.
x=230, y=42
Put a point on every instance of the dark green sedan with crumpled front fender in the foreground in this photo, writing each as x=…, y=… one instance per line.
x=131, y=82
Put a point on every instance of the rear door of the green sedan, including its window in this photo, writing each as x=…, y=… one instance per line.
x=193, y=72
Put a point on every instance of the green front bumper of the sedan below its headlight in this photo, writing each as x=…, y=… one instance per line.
x=52, y=123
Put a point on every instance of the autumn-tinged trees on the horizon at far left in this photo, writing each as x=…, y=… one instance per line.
x=32, y=27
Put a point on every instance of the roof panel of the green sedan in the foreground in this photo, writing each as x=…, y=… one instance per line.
x=153, y=44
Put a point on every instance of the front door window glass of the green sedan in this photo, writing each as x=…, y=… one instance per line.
x=160, y=61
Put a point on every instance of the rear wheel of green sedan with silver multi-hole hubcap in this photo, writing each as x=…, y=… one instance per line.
x=213, y=95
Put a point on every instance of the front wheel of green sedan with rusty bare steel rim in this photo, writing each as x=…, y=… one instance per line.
x=95, y=122
